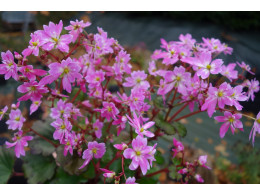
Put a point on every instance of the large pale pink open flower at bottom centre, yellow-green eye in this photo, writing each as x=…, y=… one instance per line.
x=140, y=154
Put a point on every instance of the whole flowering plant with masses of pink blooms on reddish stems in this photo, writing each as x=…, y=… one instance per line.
x=115, y=134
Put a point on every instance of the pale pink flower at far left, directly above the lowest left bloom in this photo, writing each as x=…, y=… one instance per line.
x=16, y=120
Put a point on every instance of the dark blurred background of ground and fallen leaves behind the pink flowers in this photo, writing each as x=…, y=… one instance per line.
x=233, y=159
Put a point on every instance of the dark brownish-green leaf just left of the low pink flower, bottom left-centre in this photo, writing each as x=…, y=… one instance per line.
x=69, y=163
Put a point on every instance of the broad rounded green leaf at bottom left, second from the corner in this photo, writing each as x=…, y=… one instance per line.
x=38, y=169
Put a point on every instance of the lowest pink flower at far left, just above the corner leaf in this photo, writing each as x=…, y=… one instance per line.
x=19, y=142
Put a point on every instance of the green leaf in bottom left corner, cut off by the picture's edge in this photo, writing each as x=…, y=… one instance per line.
x=6, y=164
